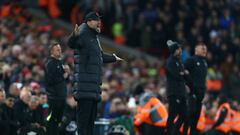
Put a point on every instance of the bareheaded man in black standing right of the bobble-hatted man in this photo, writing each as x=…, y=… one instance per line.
x=197, y=68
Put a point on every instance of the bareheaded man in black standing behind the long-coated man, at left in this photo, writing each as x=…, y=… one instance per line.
x=55, y=75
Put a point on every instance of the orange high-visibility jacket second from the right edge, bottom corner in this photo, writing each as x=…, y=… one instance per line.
x=227, y=123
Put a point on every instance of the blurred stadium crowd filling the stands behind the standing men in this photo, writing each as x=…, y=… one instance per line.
x=137, y=30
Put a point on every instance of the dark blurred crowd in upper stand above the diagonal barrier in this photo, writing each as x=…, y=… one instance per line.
x=148, y=24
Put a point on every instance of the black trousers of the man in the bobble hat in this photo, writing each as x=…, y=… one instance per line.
x=177, y=109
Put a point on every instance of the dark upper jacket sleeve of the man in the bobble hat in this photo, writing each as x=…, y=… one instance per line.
x=171, y=70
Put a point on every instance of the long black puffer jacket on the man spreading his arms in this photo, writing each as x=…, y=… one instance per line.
x=88, y=60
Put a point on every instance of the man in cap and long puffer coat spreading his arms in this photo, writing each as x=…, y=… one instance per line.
x=88, y=58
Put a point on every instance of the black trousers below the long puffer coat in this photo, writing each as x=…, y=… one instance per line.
x=86, y=115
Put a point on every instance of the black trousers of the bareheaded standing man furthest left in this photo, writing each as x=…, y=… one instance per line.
x=55, y=113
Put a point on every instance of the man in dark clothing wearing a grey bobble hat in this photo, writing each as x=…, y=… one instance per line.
x=176, y=91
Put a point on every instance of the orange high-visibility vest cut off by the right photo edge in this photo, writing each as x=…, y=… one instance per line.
x=236, y=122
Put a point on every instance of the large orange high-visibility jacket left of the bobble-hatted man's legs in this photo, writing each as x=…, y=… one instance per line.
x=152, y=113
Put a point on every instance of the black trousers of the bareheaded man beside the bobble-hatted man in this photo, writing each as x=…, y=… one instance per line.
x=195, y=108
